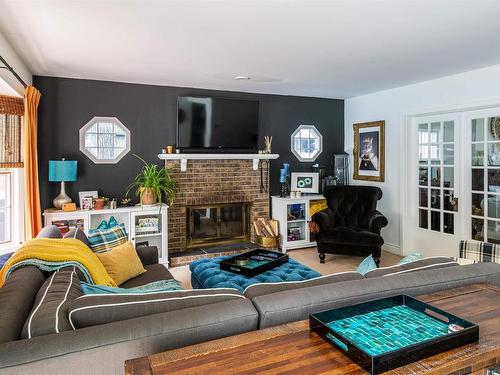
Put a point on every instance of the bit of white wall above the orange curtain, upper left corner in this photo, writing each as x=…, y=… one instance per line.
x=8, y=53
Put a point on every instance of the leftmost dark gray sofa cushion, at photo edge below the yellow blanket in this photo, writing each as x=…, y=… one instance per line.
x=16, y=300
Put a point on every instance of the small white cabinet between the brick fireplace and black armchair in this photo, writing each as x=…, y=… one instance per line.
x=294, y=215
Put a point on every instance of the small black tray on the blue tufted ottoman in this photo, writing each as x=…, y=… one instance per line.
x=259, y=261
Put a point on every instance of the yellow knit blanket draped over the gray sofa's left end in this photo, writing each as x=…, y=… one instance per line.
x=59, y=250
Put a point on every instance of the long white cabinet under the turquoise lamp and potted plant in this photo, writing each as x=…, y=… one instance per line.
x=143, y=224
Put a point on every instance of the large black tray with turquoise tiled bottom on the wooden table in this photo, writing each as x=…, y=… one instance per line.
x=376, y=364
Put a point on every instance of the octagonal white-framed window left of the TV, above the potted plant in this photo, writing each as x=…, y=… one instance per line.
x=105, y=140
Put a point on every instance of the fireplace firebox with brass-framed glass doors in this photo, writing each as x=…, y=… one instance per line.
x=215, y=224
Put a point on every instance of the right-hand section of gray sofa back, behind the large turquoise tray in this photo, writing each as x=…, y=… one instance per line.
x=288, y=306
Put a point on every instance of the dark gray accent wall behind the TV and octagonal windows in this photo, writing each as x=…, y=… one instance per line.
x=150, y=113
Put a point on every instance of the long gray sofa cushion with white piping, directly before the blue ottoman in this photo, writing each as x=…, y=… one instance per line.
x=261, y=289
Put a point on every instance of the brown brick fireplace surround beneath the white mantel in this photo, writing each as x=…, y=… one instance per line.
x=209, y=182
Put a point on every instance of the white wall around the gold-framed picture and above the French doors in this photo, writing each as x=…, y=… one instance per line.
x=457, y=91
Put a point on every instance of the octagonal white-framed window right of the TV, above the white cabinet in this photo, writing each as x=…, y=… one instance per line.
x=307, y=143
